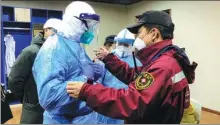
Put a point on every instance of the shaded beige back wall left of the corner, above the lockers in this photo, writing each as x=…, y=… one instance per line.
x=113, y=17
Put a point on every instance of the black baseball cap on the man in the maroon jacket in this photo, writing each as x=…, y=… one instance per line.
x=152, y=17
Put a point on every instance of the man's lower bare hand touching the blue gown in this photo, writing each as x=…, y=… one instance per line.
x=74, y=88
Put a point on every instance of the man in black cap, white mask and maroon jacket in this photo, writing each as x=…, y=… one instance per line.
x=158, y=91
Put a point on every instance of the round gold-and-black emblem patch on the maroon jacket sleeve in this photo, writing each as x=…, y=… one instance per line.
x=143, y=81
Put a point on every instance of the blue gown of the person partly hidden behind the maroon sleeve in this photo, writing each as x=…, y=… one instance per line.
x=111, y=81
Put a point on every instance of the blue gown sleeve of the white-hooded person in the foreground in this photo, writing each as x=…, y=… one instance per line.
x=49, y=74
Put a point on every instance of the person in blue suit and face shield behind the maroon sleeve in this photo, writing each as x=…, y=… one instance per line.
x=123, y=50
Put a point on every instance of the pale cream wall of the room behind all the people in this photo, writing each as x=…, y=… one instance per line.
x=197, y=29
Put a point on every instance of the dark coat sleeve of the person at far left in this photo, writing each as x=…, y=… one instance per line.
x=20, y=71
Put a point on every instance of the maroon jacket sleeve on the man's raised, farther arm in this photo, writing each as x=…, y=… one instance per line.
x=120, y=69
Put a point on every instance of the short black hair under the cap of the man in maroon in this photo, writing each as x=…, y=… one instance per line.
x=166, y=32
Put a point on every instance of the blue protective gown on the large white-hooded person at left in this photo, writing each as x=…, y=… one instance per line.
x=61, y=60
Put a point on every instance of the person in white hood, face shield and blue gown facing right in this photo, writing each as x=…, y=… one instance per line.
x=62, y=59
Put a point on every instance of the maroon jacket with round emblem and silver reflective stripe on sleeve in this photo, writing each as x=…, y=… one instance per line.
x=158, y=98
